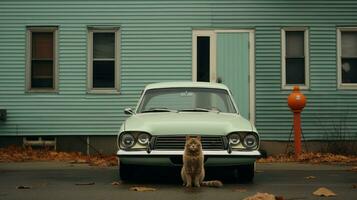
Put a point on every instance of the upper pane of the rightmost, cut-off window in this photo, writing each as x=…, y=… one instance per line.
x=349, y=44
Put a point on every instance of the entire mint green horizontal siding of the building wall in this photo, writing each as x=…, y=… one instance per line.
x=156, y=46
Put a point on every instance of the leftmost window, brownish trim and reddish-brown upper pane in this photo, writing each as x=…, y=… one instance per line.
x=41, y=73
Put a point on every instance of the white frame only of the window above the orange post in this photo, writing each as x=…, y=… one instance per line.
x=306, y=55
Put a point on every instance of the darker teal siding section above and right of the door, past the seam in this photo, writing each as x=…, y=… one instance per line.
x=330, y=113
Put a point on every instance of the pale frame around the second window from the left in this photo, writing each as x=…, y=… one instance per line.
x=116, y=87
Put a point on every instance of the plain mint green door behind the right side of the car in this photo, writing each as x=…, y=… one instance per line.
x=233, y=67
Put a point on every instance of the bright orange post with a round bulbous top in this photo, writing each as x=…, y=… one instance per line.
x=297, y=102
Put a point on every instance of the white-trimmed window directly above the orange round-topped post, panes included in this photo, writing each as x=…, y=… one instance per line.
x=295, y=58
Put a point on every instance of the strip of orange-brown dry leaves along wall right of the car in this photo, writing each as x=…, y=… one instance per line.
x=310, y=157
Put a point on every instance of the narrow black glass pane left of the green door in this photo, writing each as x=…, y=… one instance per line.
x=203, y=59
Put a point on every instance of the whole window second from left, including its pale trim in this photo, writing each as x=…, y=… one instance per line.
x=103, y=60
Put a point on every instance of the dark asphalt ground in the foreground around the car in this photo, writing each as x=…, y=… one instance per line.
x=61, y=180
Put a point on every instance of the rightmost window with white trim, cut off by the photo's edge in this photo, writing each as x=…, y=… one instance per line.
x=347, y=57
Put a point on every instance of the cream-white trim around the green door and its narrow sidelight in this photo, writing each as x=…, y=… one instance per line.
x=213, y=65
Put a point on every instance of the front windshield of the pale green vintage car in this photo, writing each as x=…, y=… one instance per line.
x=186, y=100
